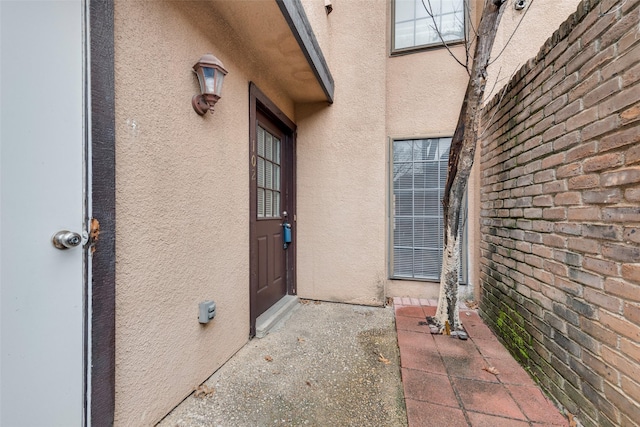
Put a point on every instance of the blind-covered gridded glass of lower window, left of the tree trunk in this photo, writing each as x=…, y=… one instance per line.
x=419, y=176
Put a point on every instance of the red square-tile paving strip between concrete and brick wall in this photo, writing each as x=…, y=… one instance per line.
x=445, y=385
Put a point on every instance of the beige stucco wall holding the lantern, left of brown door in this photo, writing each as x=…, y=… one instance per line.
x=182, y=203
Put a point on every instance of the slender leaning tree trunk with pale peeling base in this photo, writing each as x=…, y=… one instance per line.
x=461, y=154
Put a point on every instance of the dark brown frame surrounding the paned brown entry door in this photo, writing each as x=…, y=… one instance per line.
x=258, y=101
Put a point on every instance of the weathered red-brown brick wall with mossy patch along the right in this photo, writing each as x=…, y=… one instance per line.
x=560, y=252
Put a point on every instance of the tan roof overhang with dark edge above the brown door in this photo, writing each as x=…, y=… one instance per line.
x=280, y=39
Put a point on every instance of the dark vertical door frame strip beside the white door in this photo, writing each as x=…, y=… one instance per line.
x=100, y=272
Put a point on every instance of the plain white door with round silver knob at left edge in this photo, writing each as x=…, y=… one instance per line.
x=41, y=183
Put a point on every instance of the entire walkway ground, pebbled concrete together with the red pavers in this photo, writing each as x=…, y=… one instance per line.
x=341, y=365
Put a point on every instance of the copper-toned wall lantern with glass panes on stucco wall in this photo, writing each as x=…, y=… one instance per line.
x=210, y=72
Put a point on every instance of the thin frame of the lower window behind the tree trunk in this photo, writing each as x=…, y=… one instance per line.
x=463, y=271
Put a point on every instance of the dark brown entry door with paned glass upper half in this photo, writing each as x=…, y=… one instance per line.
x=272, y=209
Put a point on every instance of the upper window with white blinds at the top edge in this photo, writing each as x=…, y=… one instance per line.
x=422, y=23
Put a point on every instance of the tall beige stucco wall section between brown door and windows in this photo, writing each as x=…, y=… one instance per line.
x=341, y=161
